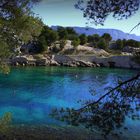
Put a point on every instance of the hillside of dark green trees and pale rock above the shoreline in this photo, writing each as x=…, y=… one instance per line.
x=67, y=41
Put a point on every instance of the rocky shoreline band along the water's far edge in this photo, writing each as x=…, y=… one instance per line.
x=75, y=61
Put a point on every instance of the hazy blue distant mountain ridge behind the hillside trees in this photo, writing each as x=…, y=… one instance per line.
x=116, y=34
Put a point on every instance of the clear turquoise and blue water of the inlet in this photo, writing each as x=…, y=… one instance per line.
x=31, y=93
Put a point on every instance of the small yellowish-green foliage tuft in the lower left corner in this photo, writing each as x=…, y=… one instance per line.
x=5, y=123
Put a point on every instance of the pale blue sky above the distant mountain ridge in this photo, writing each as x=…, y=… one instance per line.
x=63, y=13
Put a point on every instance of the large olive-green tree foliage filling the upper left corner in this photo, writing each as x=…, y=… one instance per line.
x=17, y=25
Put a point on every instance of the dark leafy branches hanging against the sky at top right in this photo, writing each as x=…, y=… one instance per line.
x=97, y=11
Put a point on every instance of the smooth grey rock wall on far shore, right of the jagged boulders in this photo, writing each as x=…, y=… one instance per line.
x=112, y=61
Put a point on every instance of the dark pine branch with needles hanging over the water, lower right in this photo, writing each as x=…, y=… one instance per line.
x=107, y=113
